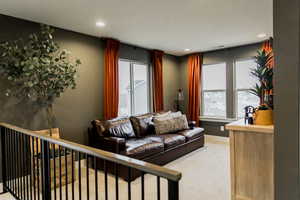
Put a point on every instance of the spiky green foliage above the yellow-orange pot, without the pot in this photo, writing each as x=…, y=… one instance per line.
x=264, y=74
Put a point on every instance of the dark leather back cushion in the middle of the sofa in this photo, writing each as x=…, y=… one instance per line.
x=142, y=124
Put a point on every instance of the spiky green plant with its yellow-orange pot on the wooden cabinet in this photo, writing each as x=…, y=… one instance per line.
x=264, y=89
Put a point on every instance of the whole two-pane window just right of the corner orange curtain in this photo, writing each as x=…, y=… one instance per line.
x=214, y=90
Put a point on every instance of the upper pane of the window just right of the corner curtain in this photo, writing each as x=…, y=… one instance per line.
x=214, y=77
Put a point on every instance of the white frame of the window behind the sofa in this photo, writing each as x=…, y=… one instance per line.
x=132, y=100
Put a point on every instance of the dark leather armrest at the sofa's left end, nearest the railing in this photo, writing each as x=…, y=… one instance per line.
x=111, y=144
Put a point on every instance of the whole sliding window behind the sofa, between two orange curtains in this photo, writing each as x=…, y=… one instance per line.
x=134, y=88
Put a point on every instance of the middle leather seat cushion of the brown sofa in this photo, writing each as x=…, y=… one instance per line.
x=169, y=140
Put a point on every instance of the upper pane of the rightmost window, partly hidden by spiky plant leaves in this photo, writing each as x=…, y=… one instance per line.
x=244, y=79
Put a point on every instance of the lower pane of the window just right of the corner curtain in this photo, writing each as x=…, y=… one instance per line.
x=214, y=104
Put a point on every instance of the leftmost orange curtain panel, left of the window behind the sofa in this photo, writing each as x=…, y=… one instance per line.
x=111, y=79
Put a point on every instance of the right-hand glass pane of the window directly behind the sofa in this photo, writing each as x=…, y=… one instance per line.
x=141, y=93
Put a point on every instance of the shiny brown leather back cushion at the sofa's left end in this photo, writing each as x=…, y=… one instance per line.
x=119, y=128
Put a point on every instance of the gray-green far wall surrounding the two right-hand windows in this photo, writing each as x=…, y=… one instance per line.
x=225, y=55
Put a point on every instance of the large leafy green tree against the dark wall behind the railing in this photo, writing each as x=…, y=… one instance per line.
x=37, y=69
